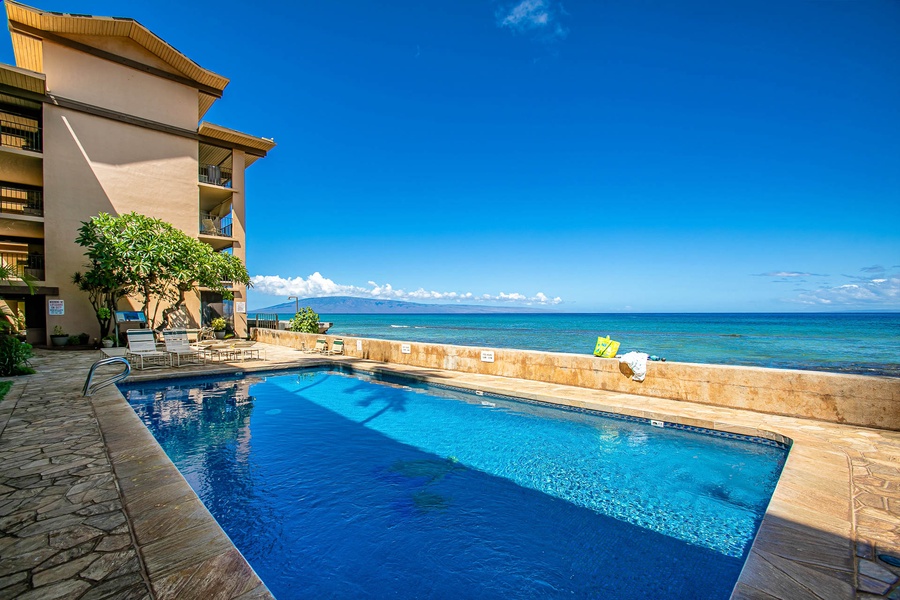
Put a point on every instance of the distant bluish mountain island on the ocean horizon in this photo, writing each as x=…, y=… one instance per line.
x=347, y=305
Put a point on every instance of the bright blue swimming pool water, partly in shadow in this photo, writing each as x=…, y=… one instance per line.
x=337, y=485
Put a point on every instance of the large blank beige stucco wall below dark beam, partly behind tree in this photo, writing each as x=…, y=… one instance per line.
x=93, y=164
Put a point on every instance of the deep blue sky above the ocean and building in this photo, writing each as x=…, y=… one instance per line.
x=581, y=156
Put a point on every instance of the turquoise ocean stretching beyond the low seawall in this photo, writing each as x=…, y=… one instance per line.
x=864, y=343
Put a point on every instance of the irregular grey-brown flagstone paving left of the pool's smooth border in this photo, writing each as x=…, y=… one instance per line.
x=63, y=530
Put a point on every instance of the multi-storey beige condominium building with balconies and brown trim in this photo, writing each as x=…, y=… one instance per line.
x=101, y=115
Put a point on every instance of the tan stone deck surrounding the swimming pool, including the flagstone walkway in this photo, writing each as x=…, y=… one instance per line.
x=90, y=506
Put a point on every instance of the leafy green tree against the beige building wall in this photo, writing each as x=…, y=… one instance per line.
x=155, y=262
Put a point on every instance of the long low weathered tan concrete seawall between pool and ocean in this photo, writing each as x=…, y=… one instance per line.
x=849, y=399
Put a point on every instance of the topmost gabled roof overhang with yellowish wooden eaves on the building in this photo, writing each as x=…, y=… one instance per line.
x=29, y=26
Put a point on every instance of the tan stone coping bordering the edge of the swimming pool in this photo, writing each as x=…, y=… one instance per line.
x=806, y=546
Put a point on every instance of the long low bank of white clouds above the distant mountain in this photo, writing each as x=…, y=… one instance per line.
x=316, y=285
